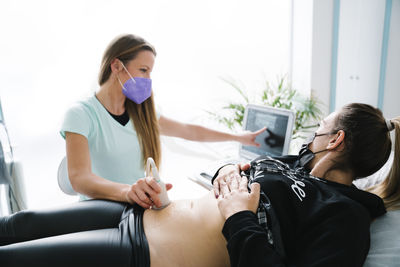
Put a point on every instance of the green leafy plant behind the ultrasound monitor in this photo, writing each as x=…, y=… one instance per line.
x=281, y=95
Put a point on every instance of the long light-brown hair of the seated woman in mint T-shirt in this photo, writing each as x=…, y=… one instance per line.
x=126, y=48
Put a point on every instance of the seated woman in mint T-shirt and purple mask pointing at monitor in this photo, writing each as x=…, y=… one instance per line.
x=110, y=135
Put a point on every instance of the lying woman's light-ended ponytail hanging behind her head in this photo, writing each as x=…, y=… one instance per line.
x=389, y=189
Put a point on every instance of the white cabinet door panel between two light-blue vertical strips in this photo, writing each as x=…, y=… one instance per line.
x=361, y=24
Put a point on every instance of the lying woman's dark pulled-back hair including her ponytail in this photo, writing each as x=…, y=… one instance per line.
x=368, y=147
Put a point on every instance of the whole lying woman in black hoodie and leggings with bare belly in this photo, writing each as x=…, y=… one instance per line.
x=278, y=213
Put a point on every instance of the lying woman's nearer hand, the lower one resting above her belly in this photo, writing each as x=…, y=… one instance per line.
x=234, y=196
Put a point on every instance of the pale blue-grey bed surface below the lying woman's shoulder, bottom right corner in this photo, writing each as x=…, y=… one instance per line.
x=385, y=241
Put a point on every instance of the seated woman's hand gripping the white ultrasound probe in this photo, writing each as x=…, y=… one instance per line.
x=145, y=192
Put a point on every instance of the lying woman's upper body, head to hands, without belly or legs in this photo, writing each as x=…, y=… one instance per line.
x=309, y=213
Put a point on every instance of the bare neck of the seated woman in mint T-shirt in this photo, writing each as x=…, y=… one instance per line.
x=111, y=97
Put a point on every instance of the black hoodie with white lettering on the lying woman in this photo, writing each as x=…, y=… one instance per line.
x=319, y=222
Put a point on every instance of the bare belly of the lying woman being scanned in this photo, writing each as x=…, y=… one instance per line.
x=186, y=233
